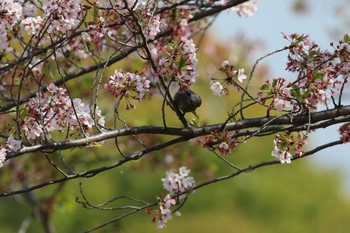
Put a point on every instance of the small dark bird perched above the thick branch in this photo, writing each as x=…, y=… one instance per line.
x=187, y=101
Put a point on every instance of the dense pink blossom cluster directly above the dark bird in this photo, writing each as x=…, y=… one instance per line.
x=178, y=62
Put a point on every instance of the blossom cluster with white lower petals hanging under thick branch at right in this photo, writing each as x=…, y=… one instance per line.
x=286, y=143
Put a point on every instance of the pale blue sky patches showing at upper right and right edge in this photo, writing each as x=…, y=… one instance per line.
x=276, y=16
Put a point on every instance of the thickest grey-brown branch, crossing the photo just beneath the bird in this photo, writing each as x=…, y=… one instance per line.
x=269, y=123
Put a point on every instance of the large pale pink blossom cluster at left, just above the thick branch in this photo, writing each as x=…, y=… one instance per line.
x=54, y=110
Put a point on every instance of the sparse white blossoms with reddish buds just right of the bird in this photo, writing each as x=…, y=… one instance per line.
x=220, y=88
